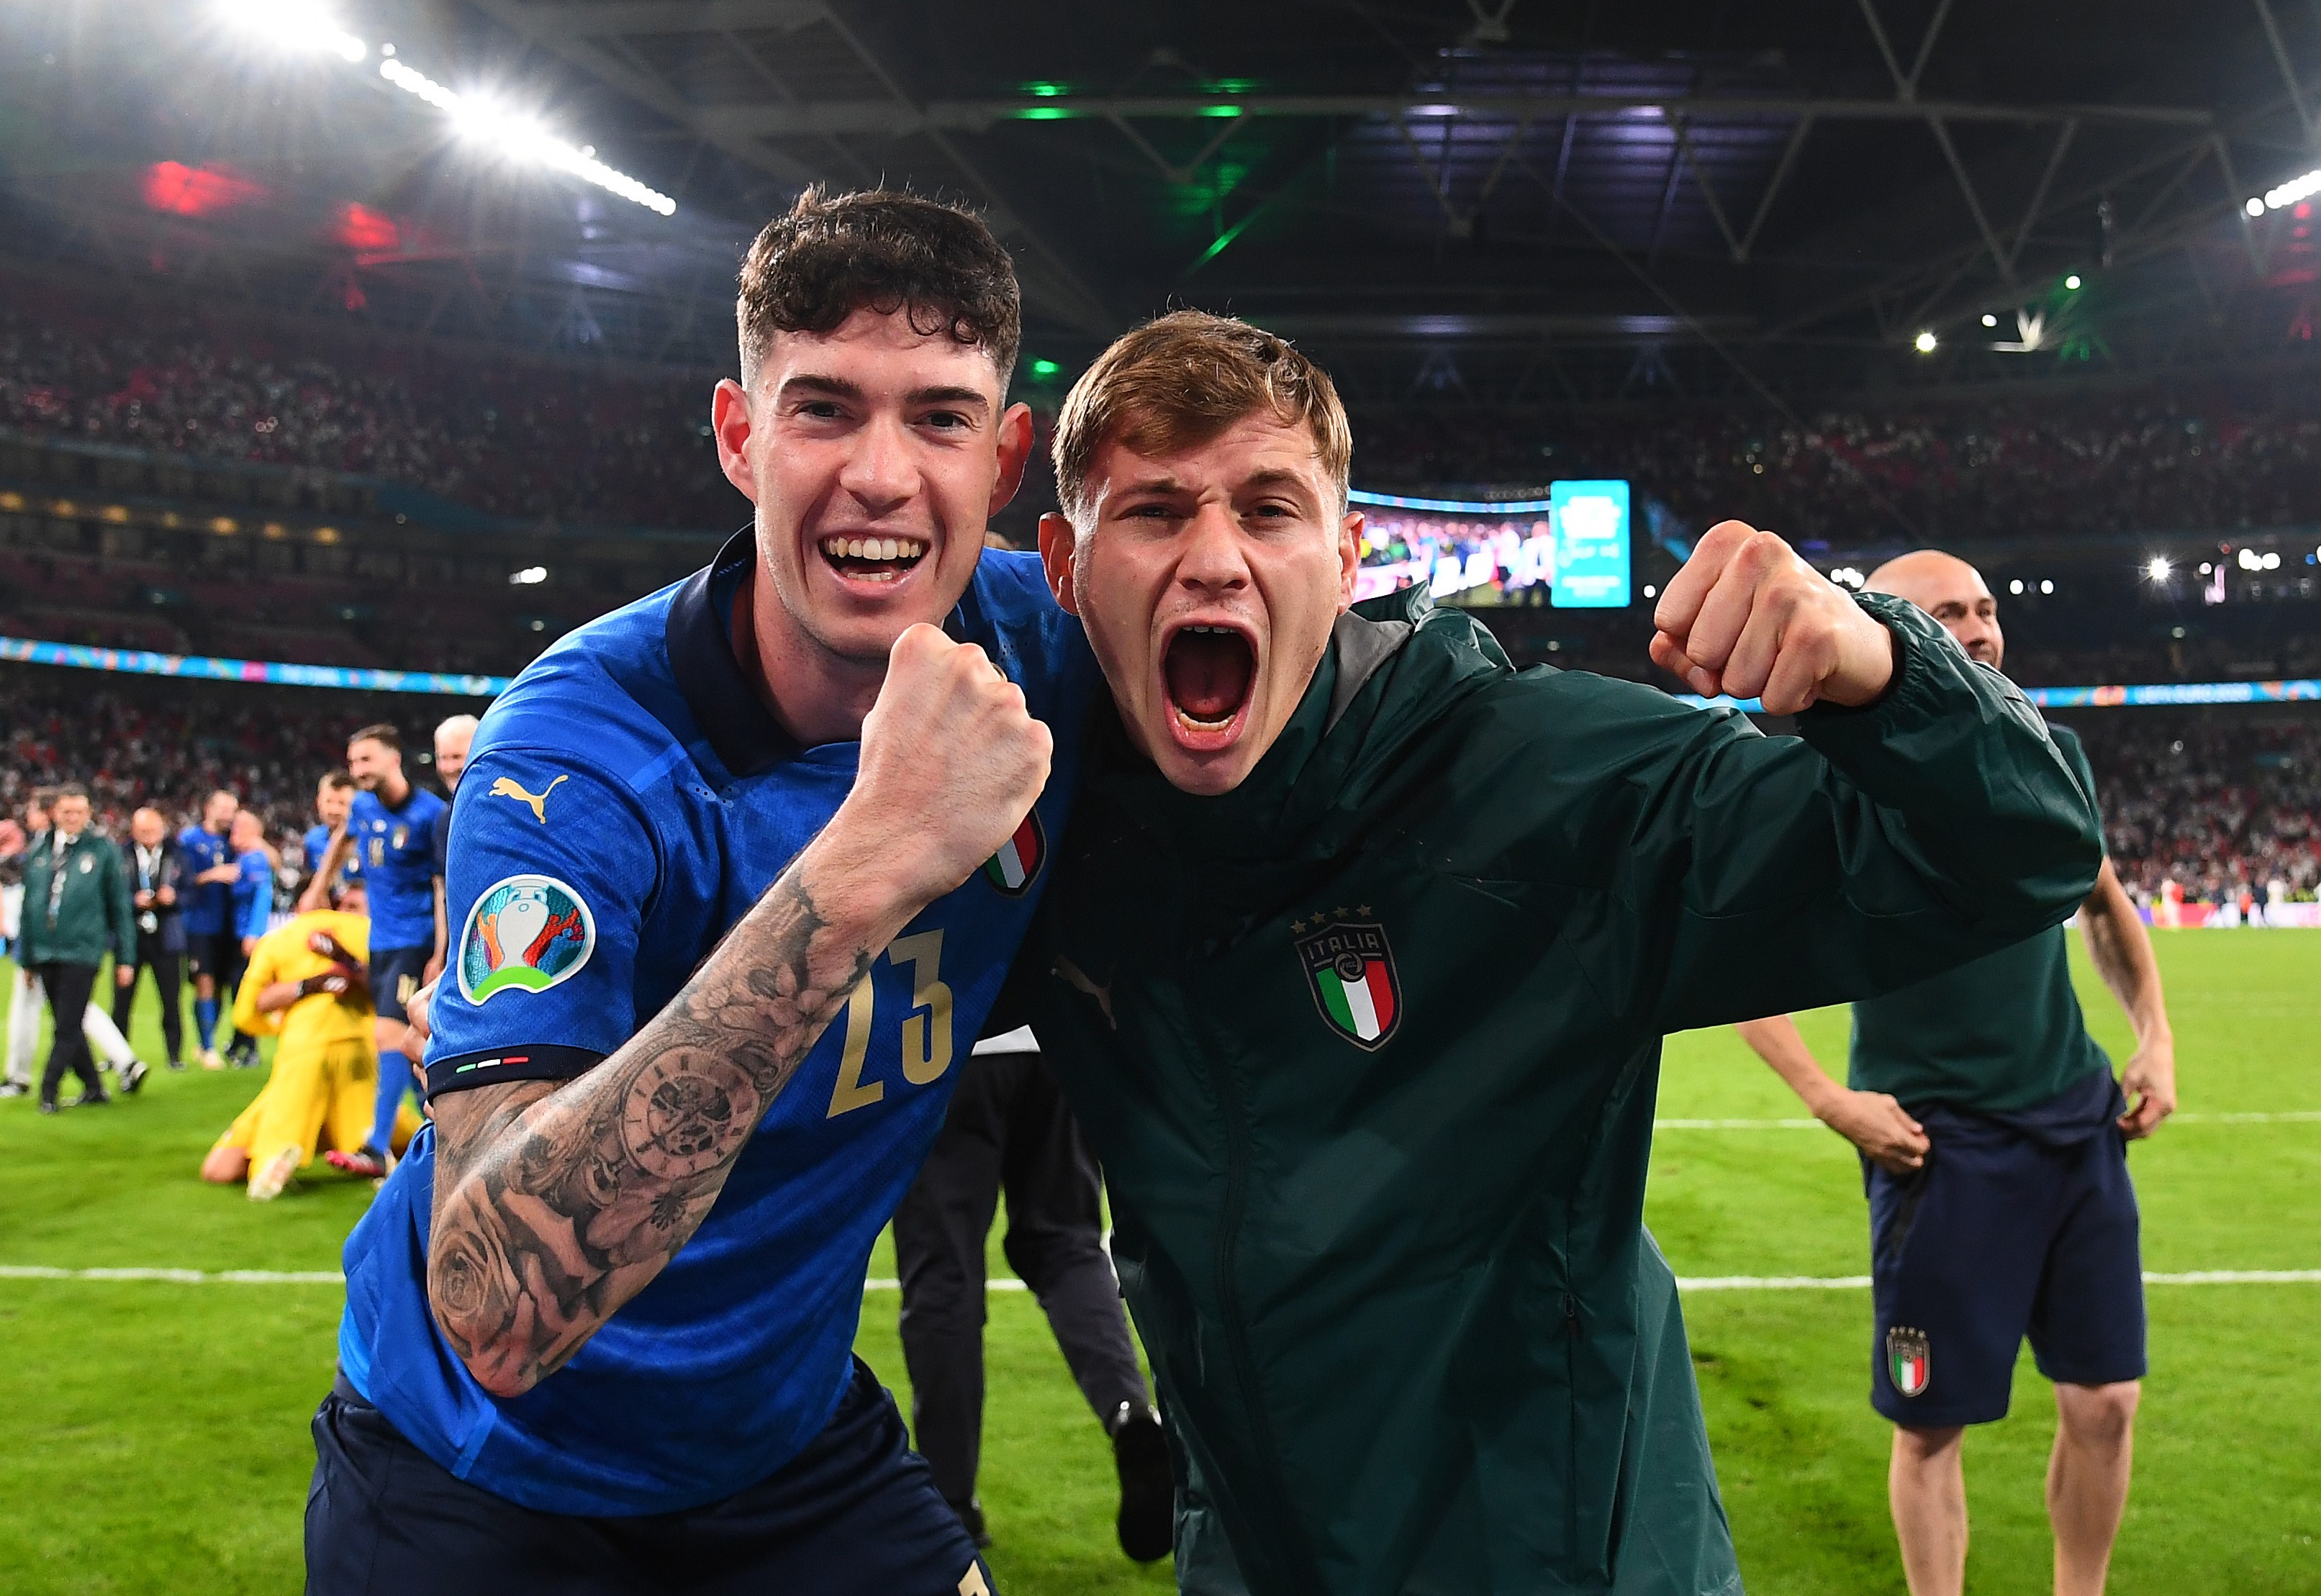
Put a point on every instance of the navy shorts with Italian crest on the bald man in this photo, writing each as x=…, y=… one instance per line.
x=2013, y=1228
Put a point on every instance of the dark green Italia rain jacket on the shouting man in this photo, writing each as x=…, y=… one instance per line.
x=1368, y=1050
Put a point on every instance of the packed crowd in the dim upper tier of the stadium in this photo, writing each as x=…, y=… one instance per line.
x=540, y=440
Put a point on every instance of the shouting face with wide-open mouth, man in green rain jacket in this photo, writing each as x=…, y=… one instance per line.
x=1208, y=581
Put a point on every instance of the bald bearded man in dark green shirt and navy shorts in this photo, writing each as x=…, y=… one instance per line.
x=1995, y=1156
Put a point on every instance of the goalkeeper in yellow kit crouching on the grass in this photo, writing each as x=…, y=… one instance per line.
x=308, y=987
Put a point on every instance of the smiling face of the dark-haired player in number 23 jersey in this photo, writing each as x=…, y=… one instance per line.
x=876, y=458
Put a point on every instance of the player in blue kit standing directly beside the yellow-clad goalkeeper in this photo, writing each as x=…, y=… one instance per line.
x=391, y=832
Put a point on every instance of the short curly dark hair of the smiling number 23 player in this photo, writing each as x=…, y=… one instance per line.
x=890, y=252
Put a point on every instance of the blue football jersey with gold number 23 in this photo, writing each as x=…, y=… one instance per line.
x=628, y=801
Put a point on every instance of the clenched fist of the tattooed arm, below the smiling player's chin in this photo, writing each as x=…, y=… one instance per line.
x=950, y=764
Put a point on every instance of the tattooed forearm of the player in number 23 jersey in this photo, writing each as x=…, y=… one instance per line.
x=558, y=1205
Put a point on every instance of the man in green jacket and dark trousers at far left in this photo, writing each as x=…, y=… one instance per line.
x=75, y=913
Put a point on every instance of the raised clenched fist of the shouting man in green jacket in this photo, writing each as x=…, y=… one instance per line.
x=1754, y=621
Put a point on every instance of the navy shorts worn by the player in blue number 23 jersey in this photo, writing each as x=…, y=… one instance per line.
x=853, y=1516
